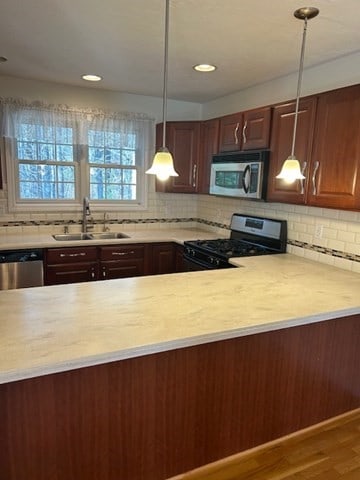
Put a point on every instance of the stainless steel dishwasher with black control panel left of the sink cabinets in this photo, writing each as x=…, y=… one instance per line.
x=21, y=268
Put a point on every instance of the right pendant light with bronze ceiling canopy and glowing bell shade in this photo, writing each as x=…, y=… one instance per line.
x=291, y=170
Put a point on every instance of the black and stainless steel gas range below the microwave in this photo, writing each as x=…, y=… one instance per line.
x=249, y=236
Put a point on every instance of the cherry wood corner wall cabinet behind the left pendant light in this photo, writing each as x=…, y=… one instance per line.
x=182, y=140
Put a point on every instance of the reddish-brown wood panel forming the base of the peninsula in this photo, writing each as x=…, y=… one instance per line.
x=152, y=417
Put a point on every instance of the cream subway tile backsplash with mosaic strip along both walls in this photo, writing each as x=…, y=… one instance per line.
x=325, y=235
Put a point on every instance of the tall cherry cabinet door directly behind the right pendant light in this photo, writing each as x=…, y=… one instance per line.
x=280, y=146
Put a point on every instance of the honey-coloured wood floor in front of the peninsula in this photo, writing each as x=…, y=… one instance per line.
x=328, y=451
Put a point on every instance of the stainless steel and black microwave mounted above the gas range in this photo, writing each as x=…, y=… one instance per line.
x=240, y=174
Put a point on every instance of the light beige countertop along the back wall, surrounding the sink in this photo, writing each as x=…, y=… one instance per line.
x=45, y=240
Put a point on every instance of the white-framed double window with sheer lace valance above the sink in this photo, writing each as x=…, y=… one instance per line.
x=57, y=157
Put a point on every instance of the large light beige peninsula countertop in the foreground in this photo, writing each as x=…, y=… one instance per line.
x=51, y=329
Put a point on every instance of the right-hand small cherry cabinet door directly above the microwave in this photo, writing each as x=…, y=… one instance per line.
x=256, y=128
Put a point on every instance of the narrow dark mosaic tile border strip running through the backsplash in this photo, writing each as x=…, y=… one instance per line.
x=296, y=243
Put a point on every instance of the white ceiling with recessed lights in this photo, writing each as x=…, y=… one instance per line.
x=251, y=41
